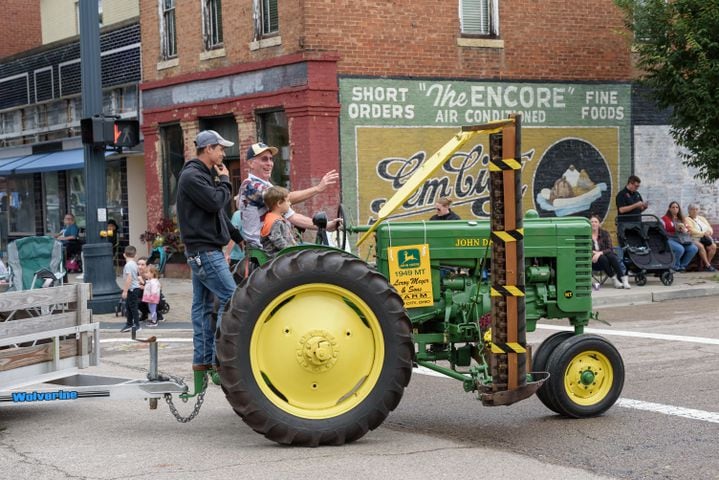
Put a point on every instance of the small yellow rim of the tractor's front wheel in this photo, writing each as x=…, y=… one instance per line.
x=588, y=378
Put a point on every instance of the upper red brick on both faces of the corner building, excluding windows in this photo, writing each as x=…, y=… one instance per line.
x=543, y=39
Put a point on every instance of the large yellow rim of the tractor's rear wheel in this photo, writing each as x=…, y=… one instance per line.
x=317, y=351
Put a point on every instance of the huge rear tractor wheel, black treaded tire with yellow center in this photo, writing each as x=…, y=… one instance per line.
x=300, y=300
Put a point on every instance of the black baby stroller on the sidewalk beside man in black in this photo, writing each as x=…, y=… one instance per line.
x=646, y=249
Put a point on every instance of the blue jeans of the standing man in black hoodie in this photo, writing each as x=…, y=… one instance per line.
x=211, y=278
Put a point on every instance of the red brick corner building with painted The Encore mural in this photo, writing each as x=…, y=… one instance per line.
x=373, y=88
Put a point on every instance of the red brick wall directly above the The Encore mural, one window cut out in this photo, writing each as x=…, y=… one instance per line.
x=543, y=39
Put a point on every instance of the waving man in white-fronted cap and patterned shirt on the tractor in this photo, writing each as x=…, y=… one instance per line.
x=251, y=202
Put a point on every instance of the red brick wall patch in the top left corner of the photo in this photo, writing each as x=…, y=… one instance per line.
x=21, y=28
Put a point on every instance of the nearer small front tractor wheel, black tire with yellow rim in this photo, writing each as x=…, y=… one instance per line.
x=586, y=376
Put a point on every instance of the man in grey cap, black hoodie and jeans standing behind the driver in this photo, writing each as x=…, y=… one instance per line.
x=203, y=191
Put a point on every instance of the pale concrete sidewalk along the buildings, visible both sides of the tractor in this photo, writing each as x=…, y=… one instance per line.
x=178, y=293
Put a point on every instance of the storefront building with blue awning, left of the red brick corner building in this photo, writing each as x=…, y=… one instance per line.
x=41, y=155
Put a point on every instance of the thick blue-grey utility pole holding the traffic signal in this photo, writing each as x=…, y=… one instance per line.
x=97, y=262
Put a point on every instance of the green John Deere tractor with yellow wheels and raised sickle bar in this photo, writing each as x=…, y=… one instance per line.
x=317, y=346
